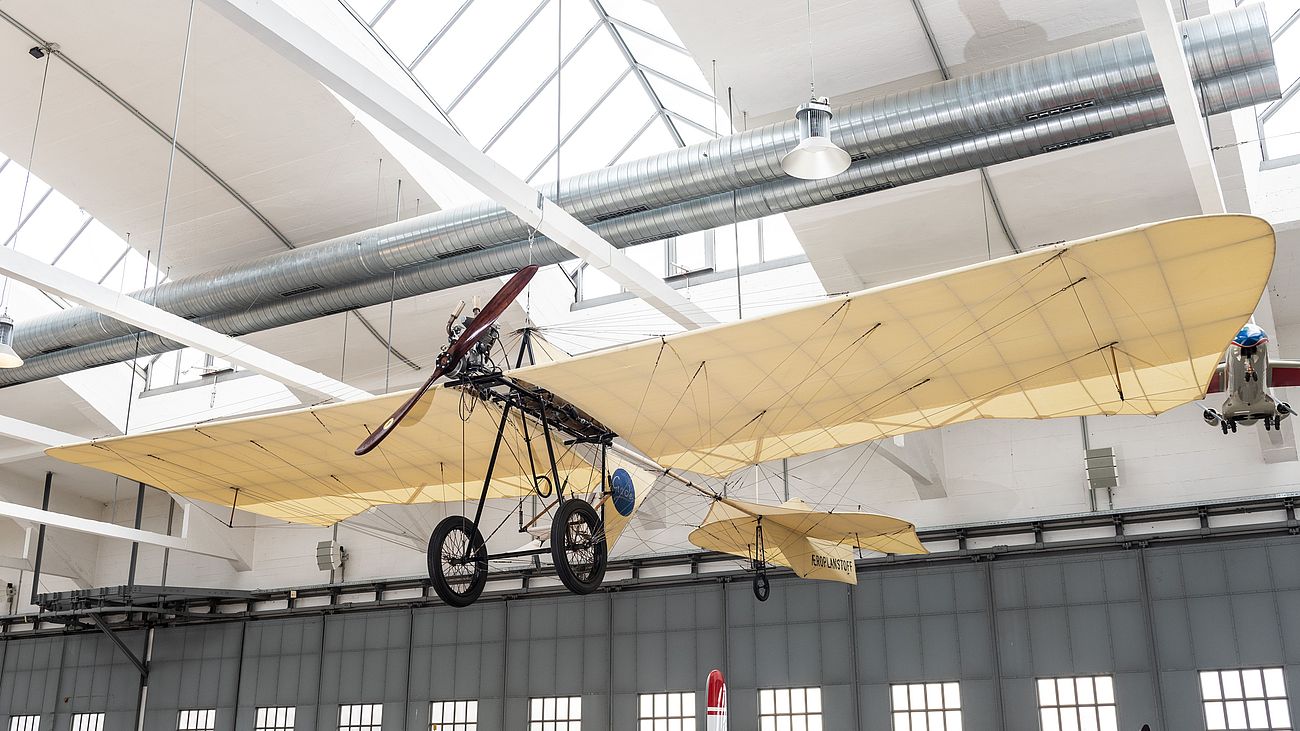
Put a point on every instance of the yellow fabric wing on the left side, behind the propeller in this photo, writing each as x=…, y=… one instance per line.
x=300, y=466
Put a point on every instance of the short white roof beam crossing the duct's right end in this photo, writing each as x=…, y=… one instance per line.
x=1167, y=47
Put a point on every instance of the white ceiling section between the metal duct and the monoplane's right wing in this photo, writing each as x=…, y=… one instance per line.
x=947, y=223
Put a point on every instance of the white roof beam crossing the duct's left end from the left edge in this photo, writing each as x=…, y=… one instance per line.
x=129, y=310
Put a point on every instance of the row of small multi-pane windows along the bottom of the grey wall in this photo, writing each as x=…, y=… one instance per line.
x=1249, y=699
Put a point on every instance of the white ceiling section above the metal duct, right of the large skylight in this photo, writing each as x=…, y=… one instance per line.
x=864, y=50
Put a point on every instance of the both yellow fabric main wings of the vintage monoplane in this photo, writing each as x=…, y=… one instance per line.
x=1055, y=332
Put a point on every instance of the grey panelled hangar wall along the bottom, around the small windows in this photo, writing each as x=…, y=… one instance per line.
x=993, y=625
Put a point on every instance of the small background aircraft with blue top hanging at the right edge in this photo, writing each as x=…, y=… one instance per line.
x=1246, y=377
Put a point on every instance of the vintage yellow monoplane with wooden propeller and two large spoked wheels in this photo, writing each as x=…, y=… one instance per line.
x=1125, y=323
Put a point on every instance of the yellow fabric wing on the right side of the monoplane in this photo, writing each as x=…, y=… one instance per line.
x=1129, y=323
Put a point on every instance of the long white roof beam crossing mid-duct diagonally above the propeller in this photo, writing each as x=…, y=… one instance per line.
x=301, y=45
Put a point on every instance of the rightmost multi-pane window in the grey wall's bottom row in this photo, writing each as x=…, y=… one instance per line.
x=1246, y=699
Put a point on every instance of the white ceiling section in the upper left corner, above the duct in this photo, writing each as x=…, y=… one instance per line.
x=272, y=133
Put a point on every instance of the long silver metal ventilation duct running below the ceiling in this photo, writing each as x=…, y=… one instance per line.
x=1093, y=93
